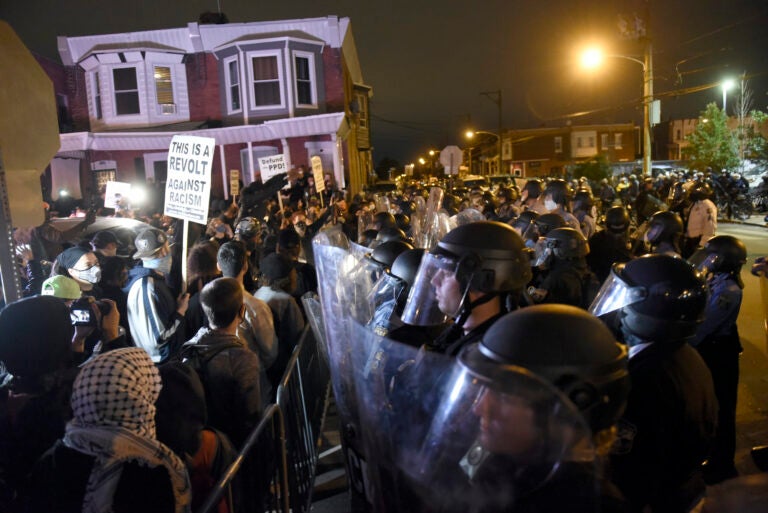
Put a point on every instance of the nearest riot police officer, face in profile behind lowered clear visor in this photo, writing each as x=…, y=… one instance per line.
x=523, y=419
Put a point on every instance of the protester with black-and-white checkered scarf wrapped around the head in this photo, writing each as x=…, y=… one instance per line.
x=109, y=458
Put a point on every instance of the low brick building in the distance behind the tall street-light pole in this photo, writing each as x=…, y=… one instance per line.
x=550, y=151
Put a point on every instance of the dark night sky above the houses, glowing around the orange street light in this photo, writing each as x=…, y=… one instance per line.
x=428, y=61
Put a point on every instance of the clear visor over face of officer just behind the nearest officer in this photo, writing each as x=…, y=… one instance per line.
x=436, y=293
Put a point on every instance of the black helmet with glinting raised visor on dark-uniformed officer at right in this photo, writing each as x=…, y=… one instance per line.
x=660, y=297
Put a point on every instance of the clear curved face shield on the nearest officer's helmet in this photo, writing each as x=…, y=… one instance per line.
x=513, y=426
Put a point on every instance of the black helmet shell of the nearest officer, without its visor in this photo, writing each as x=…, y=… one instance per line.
x=565, y=346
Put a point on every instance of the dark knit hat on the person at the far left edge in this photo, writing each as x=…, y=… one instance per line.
x=29, y=347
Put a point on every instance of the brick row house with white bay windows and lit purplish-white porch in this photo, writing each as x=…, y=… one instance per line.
x=292, y=87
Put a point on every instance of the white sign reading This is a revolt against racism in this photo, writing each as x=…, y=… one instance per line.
x=188, y=189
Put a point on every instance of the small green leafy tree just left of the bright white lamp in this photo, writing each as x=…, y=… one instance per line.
x=712, y=144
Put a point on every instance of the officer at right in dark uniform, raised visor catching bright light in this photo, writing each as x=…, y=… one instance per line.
x=667, y=429
